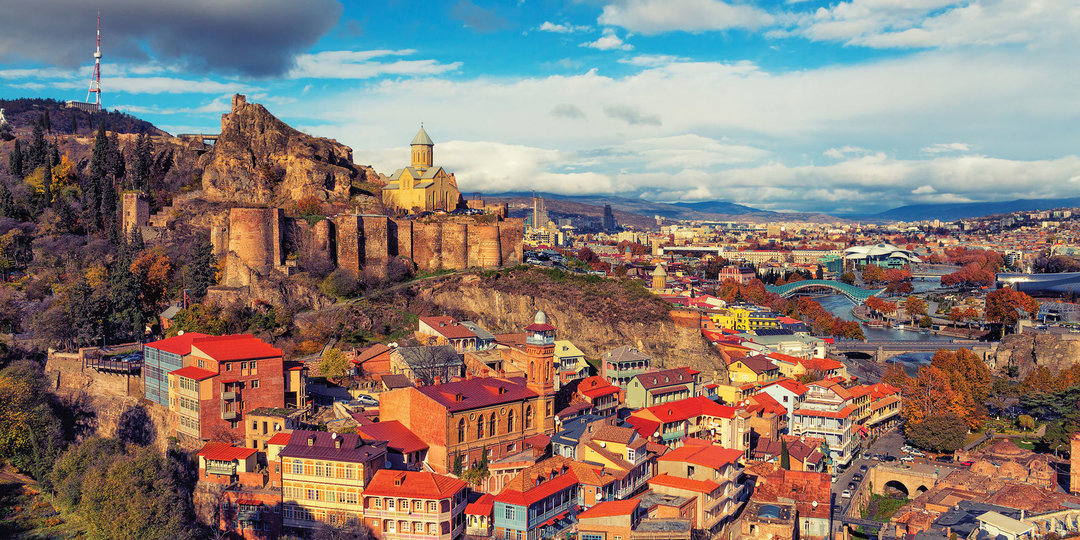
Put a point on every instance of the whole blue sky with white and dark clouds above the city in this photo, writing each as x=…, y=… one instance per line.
x=846, y=107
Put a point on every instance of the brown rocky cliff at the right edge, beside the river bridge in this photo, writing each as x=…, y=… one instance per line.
x=1032, y=349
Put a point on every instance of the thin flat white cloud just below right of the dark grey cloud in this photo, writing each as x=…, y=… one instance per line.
x=360, y=65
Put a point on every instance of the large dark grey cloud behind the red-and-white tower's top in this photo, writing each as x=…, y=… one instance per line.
x=255, y=38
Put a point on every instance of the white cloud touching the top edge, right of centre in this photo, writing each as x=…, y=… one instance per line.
x=658, y=17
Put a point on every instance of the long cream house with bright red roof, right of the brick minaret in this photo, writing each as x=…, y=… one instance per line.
x=695, y=417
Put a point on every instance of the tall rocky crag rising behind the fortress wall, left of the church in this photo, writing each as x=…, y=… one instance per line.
x=260, y=159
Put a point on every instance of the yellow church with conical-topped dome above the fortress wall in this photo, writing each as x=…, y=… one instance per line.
x=423, y=186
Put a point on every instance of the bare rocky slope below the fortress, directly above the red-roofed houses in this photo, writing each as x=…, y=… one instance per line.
x=506, y=312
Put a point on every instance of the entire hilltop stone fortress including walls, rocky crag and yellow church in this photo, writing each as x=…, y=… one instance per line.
x=258, y=170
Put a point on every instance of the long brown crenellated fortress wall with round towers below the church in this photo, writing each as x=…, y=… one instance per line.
x=258, y=241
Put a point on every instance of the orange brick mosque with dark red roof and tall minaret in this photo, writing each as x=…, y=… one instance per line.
x=468, y=417
